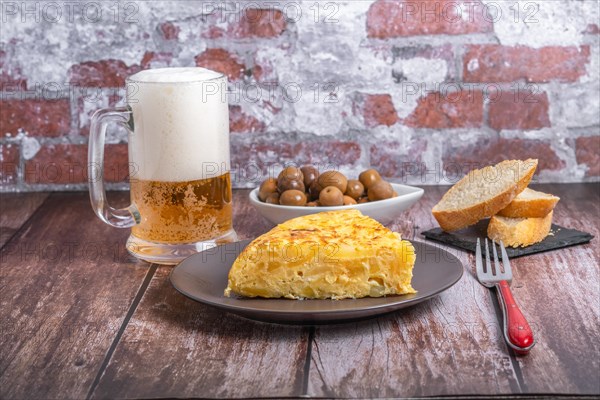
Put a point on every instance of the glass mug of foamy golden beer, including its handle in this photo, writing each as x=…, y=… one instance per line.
x=178, y=123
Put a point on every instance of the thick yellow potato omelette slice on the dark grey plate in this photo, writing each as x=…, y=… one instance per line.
x=334, y=254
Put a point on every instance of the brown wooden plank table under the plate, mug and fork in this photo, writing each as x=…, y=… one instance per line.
x=83, y=319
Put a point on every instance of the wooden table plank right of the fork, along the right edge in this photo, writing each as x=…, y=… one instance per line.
x=560, y=292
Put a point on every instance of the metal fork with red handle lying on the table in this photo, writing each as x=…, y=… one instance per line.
x=517, y=332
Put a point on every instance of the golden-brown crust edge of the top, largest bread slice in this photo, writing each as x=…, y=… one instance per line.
x=451, y=220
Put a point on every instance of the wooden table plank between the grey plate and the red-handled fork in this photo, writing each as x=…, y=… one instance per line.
x=449, y=345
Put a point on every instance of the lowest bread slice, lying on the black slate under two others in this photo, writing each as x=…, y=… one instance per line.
x=515, y=232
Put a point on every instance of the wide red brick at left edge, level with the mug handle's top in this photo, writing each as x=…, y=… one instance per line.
x=37, y=117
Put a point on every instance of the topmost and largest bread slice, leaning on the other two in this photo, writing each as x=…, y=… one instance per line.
x=482, y=193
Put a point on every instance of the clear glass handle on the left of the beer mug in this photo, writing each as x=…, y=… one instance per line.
x=117, y=217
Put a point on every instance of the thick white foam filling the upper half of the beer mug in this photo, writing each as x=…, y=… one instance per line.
x=181, y=124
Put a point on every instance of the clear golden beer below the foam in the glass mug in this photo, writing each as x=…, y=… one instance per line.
x=182, y=212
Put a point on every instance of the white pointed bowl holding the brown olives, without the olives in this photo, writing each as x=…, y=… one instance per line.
x=384, y=211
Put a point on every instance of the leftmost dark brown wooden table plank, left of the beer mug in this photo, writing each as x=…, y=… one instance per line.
x=67, y=284
